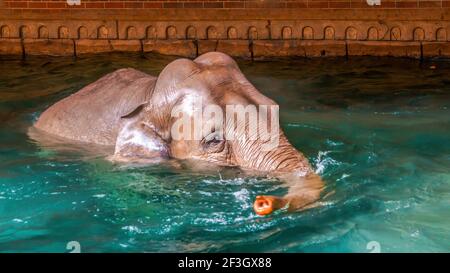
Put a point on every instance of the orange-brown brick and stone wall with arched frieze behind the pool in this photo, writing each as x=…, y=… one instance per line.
x=252, y=29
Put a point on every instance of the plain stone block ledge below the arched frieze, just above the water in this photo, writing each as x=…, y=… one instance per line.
x=236, y=48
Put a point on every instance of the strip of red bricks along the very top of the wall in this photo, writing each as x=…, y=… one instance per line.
x=222, y=4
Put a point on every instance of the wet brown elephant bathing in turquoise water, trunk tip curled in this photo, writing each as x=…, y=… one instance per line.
x=132, y=112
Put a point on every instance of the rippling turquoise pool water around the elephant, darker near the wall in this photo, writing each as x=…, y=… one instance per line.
x=377, y=130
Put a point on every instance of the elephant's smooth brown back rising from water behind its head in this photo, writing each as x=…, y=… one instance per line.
x=93, y=113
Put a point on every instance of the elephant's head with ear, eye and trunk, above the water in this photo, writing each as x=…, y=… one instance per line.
x=238, y=125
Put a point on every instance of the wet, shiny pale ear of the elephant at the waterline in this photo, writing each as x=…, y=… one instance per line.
x=138, y=141
